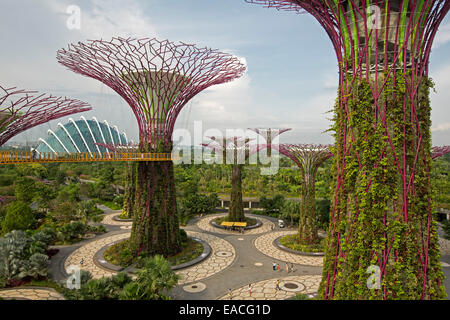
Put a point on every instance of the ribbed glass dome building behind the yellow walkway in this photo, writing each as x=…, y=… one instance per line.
x=82, y=136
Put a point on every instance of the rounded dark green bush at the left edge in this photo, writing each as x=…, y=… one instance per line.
x=19, y=216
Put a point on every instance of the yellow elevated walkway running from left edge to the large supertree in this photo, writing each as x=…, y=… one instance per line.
x=9, y=157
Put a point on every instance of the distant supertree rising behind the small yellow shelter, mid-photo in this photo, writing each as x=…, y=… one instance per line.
x=234, y=151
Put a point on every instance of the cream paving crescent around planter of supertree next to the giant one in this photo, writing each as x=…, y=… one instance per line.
x=265, y=244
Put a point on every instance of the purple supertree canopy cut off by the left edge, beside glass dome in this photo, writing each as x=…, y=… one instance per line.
x=21, y=110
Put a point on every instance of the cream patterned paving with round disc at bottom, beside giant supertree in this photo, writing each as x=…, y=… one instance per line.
x=266, y=289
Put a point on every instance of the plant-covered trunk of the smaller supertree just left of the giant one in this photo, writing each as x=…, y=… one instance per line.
x=308, y=228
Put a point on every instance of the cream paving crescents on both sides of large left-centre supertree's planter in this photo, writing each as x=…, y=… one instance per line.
x=84, y=258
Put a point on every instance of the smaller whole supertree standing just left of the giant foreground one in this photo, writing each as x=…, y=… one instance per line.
x=308, y=158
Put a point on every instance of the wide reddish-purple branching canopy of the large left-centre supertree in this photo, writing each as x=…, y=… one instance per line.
x=156, y=78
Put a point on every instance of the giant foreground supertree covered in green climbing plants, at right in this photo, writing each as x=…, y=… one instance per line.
x=381, y=219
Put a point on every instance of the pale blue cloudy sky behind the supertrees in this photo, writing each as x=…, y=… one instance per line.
x=291, y=79
